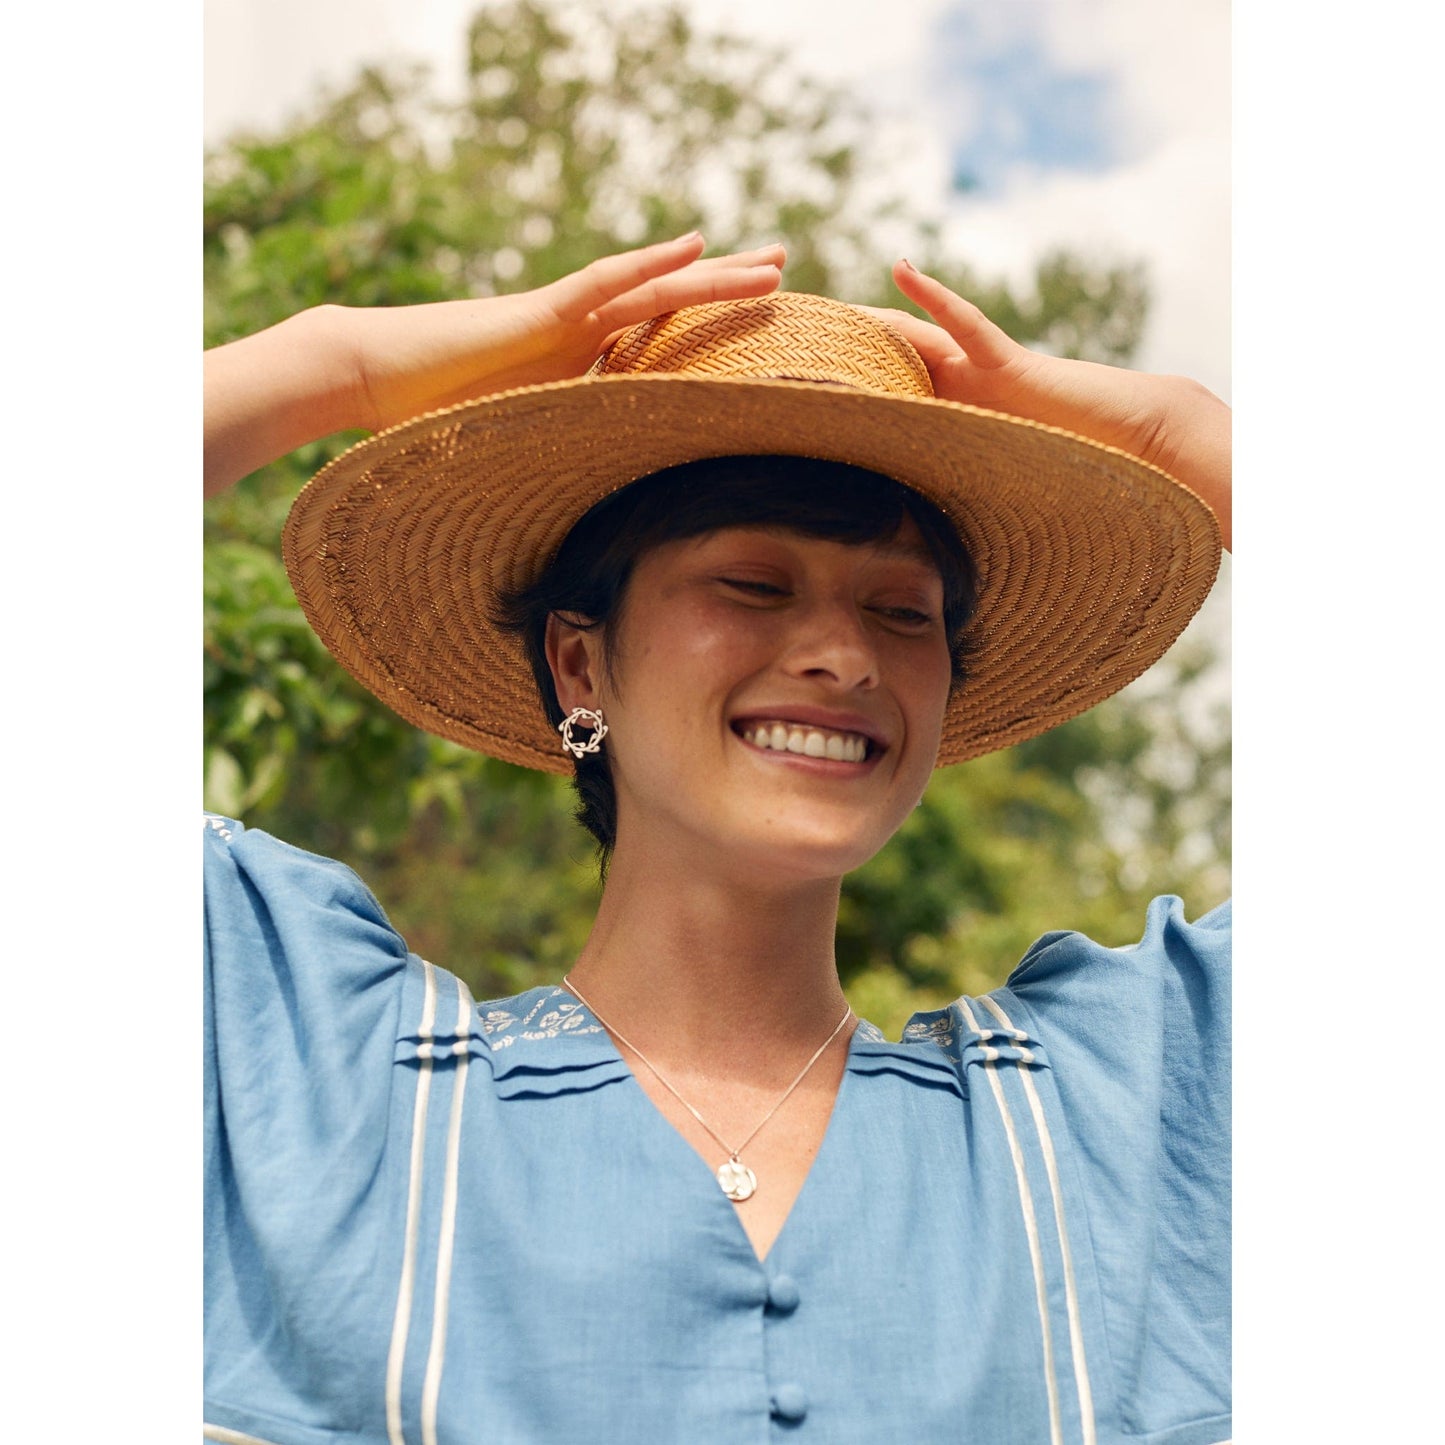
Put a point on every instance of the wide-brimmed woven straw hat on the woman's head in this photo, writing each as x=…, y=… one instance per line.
x=1092, y=561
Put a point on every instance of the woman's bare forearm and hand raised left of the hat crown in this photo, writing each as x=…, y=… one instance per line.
x=337, y=368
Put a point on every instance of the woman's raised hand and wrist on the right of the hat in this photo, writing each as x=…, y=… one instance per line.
x=1165, y=420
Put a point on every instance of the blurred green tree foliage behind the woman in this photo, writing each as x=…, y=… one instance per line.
x=583, y=132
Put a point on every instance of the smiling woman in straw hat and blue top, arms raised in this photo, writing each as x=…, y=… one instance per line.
x=684, y=1196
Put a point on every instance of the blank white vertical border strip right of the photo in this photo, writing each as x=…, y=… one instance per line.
x=1337, y=387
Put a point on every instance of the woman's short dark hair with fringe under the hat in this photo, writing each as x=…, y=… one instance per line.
x=824, y=499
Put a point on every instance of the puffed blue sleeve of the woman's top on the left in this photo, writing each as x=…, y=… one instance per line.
x=304, y=980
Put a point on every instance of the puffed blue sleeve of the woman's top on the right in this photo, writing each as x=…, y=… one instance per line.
x=1139, y=1043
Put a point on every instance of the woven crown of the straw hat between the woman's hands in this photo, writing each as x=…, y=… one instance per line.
x=784, y=337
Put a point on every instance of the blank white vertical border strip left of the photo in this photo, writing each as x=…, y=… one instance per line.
x=103, y=657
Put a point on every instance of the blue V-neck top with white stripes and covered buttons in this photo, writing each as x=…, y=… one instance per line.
x=436, y=1222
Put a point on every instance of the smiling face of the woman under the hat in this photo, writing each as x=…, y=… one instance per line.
x=743, y=655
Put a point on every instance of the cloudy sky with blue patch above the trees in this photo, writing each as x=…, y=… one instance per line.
x=1096, y=125
